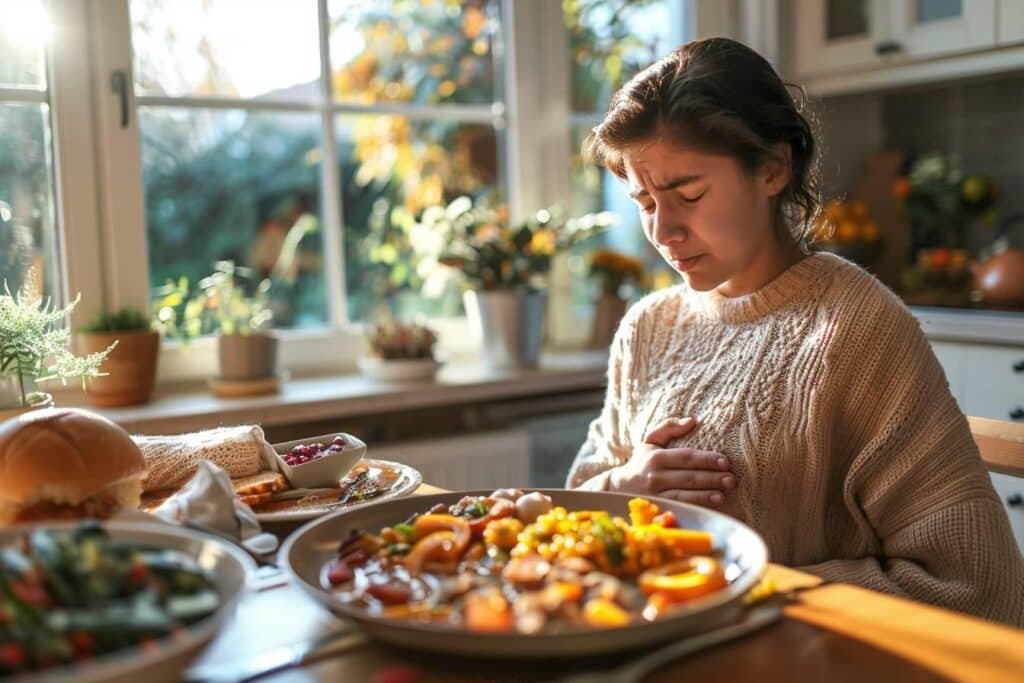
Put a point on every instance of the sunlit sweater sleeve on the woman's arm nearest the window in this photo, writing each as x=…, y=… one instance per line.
x=607, y=445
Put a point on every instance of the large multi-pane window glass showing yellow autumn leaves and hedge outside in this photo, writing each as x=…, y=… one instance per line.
x=238, y=131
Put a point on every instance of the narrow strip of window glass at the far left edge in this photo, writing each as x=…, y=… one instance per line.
x=28, y=232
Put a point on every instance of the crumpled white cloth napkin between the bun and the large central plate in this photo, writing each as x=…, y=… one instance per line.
x=208, y=500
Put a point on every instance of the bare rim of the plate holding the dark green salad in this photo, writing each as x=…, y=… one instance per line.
x=231, y=568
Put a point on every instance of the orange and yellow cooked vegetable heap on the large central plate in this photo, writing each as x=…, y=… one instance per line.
x=513, y=563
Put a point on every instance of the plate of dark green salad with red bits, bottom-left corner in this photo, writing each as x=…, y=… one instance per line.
x=118, y=602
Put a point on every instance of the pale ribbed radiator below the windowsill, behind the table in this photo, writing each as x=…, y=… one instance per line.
x=487, y=460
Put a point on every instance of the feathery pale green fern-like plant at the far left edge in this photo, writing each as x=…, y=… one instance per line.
x=33, y=334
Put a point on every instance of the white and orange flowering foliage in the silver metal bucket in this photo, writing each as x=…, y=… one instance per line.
x=476, y=243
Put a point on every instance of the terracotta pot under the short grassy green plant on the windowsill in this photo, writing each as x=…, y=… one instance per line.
x=131, y=369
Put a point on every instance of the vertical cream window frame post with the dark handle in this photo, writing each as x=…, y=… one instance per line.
x=119, y=162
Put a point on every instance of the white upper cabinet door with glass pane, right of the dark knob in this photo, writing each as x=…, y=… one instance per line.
x=933, y=28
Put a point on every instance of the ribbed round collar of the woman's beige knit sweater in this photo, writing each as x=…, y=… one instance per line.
x=796, y=282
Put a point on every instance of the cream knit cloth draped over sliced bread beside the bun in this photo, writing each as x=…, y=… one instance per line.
x=174, y=460
